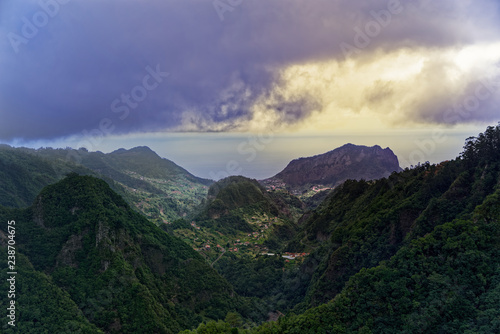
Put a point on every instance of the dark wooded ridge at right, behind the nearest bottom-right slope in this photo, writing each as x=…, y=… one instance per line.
x=361, y=223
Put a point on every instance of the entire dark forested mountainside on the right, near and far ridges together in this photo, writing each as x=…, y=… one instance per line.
x=418, y=252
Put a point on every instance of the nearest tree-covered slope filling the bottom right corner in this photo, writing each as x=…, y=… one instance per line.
x=445, y=282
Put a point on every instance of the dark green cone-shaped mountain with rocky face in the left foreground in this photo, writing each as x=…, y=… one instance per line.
x=112, y=268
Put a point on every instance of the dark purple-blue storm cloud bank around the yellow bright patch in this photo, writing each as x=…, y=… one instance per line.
x=66, y=77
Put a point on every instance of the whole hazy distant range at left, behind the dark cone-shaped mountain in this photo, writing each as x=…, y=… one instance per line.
x=159, y=188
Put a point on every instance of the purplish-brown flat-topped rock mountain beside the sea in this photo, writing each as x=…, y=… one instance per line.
x=334, y=167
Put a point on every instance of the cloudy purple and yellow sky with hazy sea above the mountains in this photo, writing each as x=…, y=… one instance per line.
x=244, y=86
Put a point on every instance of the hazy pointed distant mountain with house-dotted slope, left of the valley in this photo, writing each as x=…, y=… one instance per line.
x=157, y=186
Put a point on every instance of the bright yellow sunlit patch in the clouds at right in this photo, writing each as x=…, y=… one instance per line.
x=389, y=90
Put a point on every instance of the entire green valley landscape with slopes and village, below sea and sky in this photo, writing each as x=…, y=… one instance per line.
x=129, y=235
